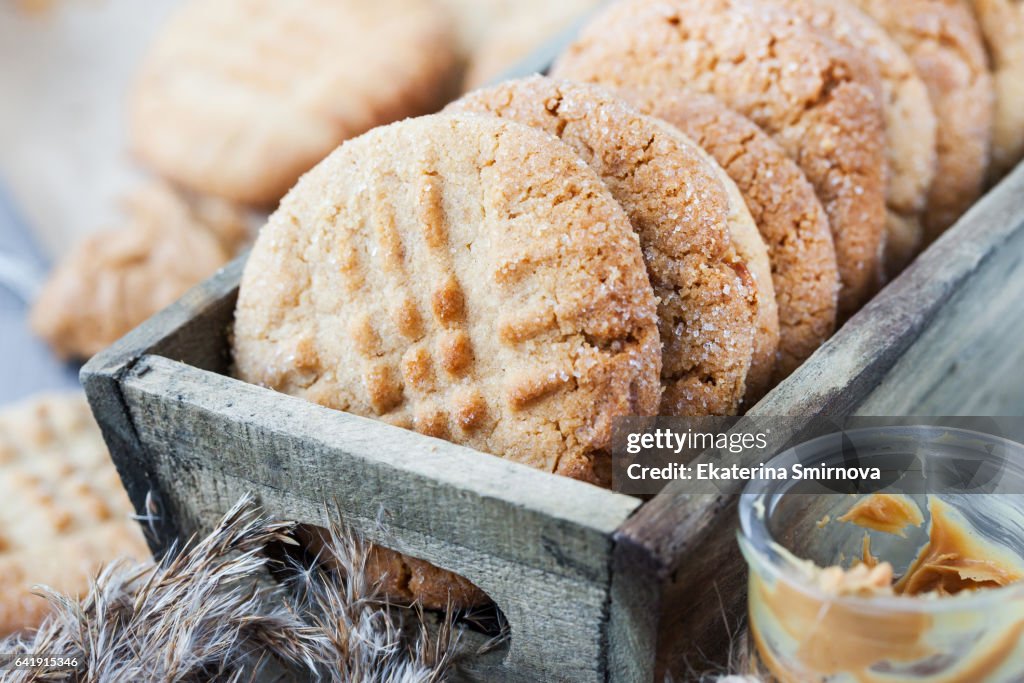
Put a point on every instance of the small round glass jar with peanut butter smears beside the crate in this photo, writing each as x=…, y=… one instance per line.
x=805, y=631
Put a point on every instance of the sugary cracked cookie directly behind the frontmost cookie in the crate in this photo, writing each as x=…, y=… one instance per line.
x=689, y=223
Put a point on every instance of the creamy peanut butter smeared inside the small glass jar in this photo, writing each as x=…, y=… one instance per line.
x=867, y=625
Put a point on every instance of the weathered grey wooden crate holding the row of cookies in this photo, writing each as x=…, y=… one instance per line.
x=596, y=586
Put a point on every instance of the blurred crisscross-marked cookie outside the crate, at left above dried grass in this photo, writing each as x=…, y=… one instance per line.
x=64, y=514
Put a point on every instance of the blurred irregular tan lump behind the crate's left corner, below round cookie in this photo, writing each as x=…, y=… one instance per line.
x=117, y=279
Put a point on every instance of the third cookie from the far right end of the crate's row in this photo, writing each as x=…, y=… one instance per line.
x=911, y=121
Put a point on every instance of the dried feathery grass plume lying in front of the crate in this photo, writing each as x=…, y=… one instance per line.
x=209, y=612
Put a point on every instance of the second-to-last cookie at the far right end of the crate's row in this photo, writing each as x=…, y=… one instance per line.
x=945, y=42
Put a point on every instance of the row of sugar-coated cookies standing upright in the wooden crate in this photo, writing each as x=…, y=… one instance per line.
x=670, y=225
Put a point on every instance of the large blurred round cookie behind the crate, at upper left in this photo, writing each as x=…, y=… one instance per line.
x=240, y=98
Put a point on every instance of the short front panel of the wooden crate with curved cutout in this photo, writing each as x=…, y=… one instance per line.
x=539, y=545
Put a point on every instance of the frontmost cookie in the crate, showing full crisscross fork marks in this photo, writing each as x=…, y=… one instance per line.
x=462, y=276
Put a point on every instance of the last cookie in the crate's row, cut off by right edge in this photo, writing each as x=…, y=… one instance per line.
x=1003, y=27
